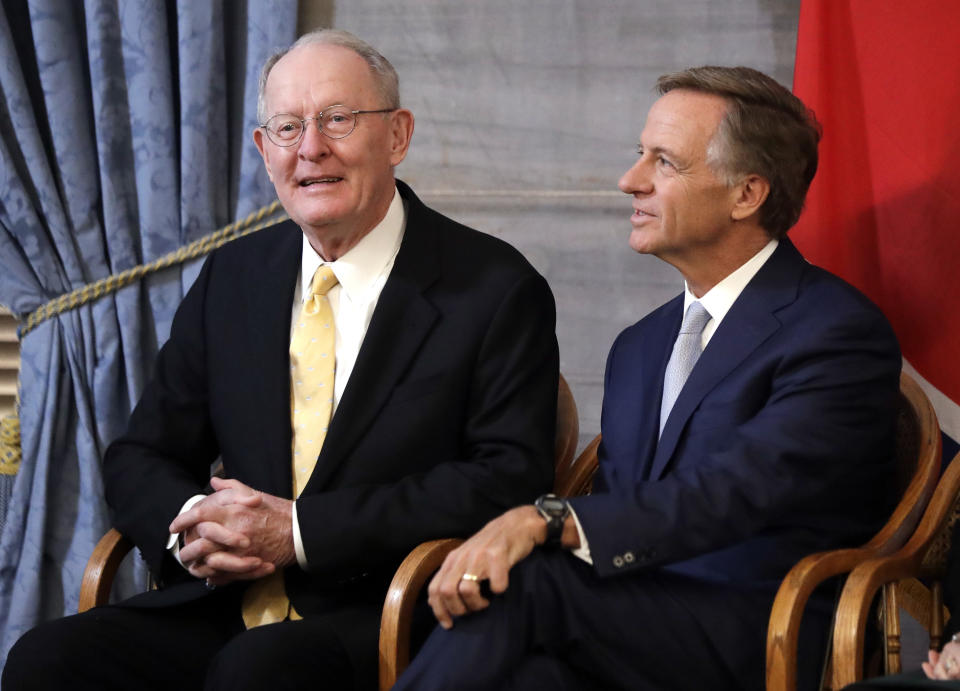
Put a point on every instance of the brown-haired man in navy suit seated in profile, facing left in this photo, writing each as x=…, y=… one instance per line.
x=746, y=423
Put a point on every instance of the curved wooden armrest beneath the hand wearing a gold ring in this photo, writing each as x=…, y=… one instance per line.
x=397, y=617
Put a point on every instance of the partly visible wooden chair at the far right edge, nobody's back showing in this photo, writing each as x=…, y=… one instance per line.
x=897, y=578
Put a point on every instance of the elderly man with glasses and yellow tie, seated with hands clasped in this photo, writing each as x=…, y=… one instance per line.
x=371, y=374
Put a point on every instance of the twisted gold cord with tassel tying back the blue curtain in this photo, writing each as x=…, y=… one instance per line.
x=10, y=453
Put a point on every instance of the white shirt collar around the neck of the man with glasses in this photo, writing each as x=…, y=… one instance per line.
x=359, y=268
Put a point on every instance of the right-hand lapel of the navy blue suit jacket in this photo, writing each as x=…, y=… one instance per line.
x=750, y=321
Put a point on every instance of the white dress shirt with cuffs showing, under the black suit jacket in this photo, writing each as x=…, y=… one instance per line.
x=361, y=274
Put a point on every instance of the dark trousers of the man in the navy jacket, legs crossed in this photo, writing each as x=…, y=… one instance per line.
x=559, y=626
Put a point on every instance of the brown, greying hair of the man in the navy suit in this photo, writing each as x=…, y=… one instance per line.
x=766, y=131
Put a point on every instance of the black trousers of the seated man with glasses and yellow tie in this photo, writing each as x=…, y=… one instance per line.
x=196, y=645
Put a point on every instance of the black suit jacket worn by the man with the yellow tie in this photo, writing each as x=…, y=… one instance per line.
x=447, y=420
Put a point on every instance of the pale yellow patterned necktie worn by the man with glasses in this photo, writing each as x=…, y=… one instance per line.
x=312, y=371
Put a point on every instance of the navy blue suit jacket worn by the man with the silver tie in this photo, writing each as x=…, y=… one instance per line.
x=779, y=444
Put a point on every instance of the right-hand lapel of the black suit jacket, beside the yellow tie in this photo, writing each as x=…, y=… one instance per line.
x=401, y=321
